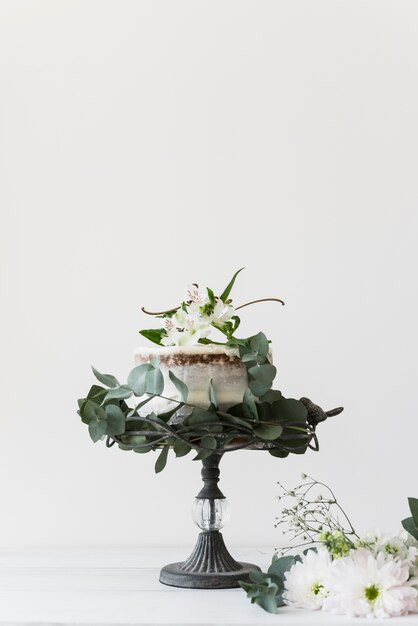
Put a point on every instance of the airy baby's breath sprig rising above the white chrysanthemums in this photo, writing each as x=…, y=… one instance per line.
x=314, y=517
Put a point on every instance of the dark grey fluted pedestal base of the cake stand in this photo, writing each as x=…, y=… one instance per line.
x=210, y=566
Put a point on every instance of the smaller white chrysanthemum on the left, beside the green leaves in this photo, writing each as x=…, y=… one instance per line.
x=305, y=582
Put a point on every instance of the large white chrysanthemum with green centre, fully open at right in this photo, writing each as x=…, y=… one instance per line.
x=366, y=585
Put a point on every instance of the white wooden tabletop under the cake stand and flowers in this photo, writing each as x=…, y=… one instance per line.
x=120, y=587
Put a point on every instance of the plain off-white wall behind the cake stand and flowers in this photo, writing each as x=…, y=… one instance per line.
x=146, y=145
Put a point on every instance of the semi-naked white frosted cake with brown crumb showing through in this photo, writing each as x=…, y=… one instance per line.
x=196, y=366
